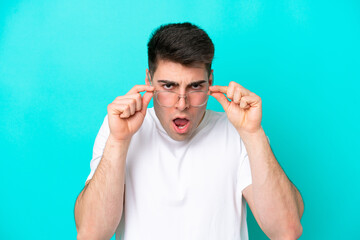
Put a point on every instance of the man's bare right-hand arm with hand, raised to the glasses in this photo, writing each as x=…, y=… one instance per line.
x=276, y=203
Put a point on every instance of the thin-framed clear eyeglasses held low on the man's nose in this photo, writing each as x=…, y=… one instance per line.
x=170, y=98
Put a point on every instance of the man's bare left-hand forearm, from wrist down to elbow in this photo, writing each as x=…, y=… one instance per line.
x=99, y=206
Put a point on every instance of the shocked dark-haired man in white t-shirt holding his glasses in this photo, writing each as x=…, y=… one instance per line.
x=179, y=171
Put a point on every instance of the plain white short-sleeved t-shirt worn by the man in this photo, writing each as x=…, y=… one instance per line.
x=183, y=189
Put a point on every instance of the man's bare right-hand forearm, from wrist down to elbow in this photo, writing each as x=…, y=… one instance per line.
x=277, y=201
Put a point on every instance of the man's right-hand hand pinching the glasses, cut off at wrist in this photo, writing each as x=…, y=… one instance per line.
x=244, y=110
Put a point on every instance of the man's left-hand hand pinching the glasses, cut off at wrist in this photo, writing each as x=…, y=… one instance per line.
x=126, y=113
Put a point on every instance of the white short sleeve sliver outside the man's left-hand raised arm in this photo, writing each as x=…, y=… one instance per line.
x=99, y=146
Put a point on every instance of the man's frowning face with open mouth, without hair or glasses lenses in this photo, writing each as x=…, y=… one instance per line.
x=182, y=119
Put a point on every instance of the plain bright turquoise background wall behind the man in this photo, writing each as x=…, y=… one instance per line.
x=63, y=62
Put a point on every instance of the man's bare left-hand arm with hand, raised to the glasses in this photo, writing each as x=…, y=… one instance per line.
x=99, y=206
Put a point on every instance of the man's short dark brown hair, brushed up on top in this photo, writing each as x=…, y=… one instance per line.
x=183, y=43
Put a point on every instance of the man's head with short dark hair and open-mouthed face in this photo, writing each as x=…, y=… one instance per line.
x=180, y=57
